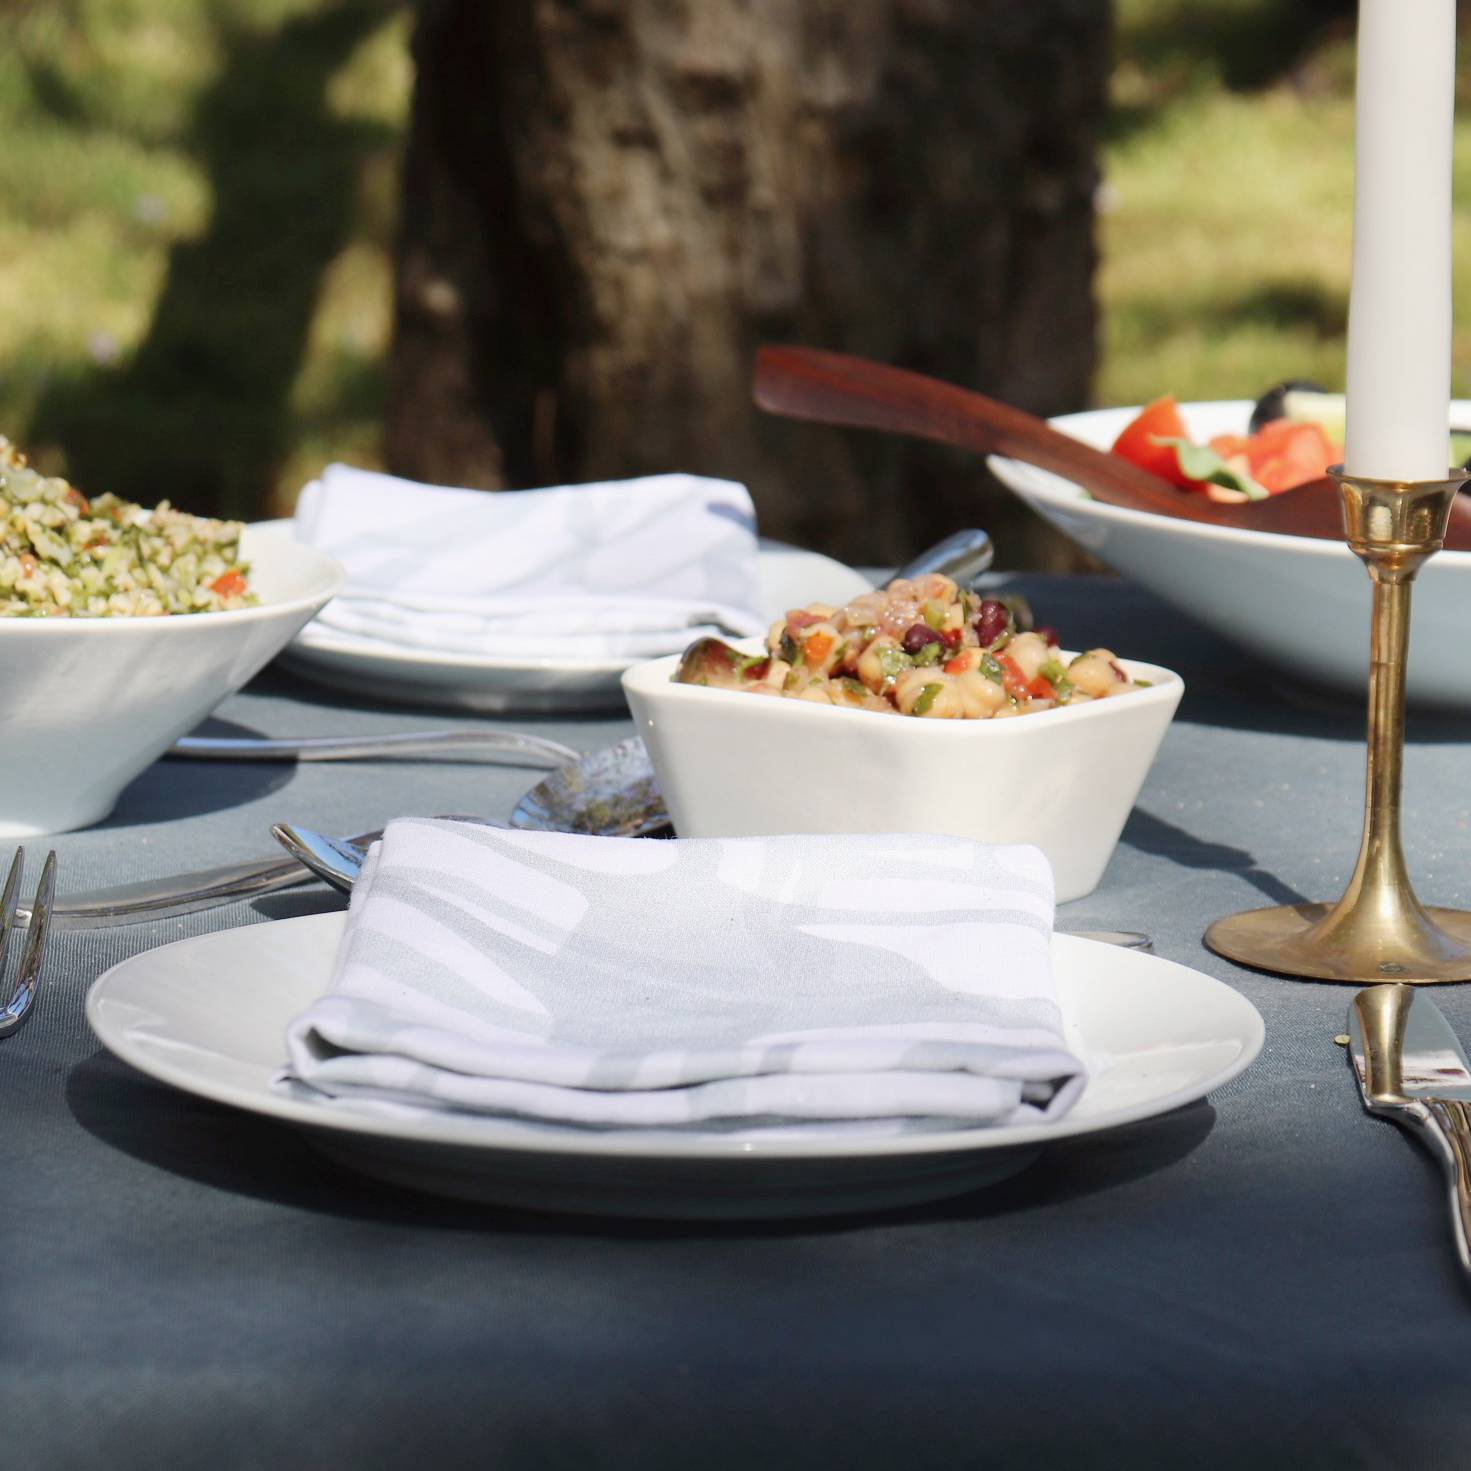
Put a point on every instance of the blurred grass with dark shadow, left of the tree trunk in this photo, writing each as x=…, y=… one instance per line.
x=195, y=239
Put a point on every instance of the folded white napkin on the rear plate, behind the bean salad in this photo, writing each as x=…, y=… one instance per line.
x=632, y=569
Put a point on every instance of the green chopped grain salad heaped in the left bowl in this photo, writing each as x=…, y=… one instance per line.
x=67, y=557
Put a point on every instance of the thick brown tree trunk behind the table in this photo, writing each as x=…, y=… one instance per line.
x=611, y=204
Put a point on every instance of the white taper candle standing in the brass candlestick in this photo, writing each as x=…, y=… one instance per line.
x=1400, y=308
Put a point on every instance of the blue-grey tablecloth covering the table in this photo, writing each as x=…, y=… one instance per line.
x=1263, y=1281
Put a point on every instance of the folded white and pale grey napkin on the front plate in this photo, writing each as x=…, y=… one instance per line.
x=779, y=986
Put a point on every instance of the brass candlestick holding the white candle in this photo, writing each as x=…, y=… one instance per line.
x=1379, y=930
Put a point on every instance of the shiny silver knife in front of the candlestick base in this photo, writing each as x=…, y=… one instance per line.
x=1411, y=1069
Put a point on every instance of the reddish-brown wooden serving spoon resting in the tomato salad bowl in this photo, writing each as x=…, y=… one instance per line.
x=807, y=383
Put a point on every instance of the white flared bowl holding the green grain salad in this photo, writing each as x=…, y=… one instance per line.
x=88, y=704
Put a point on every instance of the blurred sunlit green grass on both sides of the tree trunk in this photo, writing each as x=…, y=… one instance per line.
x=198, y=207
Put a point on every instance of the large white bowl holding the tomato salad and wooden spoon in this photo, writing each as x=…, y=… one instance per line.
x=1301, y=605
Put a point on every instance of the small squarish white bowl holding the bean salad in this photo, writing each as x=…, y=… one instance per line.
x=739, y=766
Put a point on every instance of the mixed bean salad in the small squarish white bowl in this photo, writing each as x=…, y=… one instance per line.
x=916, y=648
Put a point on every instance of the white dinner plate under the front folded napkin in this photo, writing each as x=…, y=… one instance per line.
x=210, y=1016
